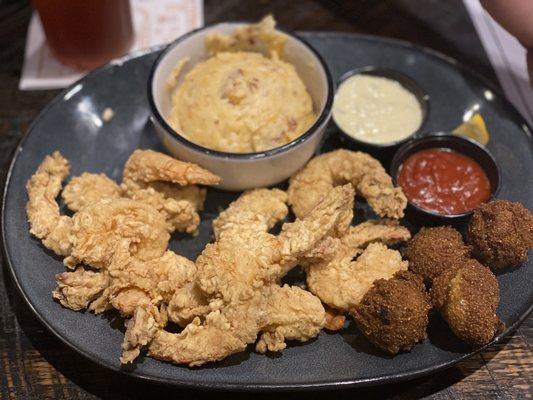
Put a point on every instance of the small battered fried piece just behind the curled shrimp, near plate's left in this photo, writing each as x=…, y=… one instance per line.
x=88, y=189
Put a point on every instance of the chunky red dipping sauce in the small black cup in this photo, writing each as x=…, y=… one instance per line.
x=443, y=181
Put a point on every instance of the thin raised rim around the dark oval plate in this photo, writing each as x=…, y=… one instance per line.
x=254, y=387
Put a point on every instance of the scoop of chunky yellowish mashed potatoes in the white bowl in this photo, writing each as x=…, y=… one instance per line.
x=240, y=100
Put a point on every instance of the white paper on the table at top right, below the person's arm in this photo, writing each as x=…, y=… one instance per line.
x=507, y=56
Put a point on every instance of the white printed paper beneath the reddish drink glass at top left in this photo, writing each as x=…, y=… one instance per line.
x=155, y=23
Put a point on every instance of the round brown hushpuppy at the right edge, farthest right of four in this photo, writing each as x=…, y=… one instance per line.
x=501, y=233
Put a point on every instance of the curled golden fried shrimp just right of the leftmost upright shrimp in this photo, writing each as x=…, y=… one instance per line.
x=98, y=228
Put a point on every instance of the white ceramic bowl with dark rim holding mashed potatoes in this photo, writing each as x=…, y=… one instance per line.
x=240, y=171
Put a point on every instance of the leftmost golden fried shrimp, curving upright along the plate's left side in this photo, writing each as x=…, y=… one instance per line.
x=42, y=209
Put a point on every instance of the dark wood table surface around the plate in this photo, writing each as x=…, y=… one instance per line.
x=36, y=365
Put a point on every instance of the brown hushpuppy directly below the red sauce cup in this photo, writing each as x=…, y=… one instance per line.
x=434, y=250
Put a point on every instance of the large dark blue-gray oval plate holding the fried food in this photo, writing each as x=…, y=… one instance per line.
x=71, y=123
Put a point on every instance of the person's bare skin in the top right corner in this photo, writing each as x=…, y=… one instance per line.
x=515, y=16
